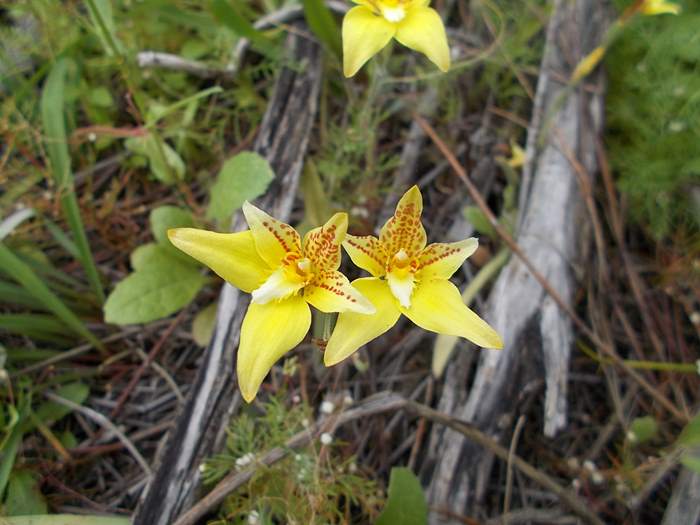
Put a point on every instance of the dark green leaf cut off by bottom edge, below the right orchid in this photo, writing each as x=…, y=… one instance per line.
x=406, y=504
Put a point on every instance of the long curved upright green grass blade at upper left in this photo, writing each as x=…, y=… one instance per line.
x=52, y=109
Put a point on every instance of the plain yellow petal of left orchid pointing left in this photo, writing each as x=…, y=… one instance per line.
x=232, y=256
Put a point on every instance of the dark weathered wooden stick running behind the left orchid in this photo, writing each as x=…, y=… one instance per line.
x=283, y=138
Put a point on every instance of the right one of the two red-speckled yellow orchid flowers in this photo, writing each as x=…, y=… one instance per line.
x=408, y=278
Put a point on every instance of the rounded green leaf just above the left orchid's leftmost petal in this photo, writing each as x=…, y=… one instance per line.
x=242, y=177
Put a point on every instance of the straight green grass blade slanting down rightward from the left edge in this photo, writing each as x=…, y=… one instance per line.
x=21, y=273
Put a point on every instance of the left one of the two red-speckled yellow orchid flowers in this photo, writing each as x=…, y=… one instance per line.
x=284, y=275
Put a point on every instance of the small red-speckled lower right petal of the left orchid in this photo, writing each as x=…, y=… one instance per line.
x=332, y=292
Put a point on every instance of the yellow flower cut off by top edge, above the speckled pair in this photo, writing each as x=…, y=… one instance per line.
x=368, y=27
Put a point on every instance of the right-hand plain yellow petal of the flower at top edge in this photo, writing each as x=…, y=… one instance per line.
x=422, y=30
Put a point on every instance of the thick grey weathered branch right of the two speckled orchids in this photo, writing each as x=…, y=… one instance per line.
x=536, y=332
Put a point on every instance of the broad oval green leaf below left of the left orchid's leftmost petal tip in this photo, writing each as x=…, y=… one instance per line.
x=152, y=293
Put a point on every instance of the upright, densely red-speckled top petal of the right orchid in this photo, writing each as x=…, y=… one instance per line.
x=404, y=230
